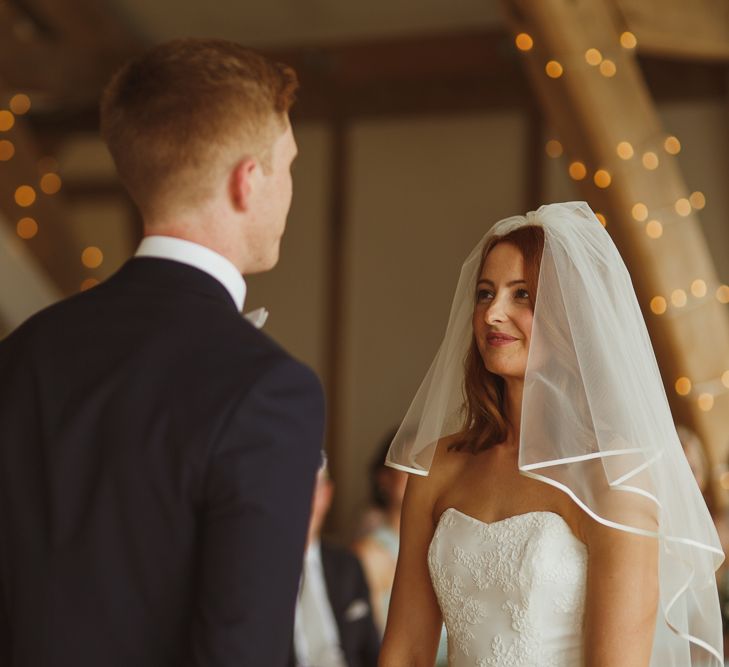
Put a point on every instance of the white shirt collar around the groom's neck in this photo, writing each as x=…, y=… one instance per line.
x=194, y=254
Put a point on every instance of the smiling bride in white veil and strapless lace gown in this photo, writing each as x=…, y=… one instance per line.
x=551, y=518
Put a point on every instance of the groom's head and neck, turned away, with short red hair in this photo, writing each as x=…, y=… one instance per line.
x=199, y=132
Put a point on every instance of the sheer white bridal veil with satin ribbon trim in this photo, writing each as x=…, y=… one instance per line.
x=595, y=419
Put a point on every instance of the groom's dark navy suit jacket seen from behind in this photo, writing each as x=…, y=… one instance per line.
x=157, y=459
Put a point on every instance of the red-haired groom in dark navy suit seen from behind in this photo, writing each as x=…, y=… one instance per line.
x=157, y=452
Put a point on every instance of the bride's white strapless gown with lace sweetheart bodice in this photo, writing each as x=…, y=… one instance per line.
x=511, y=592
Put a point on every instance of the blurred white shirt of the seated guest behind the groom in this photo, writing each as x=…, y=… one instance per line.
x=316, y=637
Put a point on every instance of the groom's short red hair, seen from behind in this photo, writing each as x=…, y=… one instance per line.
x=181, y=114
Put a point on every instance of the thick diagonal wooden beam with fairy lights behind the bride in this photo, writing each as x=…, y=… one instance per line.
x=592, y=113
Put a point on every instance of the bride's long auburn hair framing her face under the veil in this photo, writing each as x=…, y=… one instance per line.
x=484, y=424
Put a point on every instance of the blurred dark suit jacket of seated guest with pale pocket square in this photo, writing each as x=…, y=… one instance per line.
x=349, y=600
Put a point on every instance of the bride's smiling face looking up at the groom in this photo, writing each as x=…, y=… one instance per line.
x=502, y=316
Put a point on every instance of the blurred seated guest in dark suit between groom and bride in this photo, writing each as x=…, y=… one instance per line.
x=334, y=625
